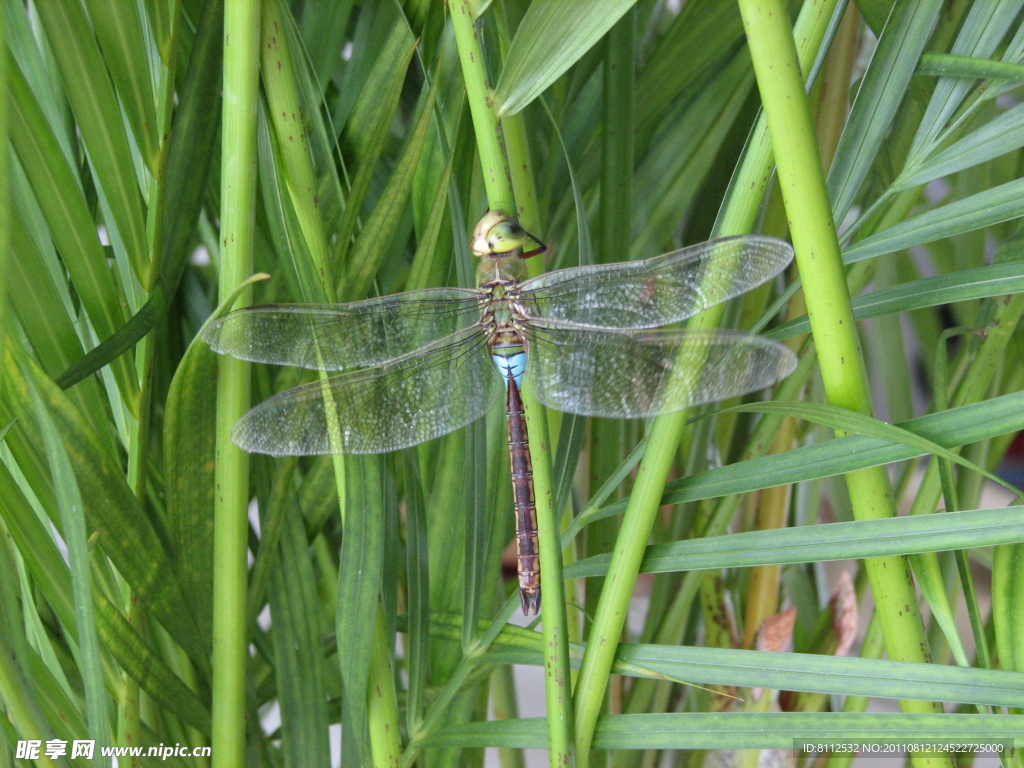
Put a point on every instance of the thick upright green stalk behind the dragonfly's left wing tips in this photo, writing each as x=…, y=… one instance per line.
x=242, y=28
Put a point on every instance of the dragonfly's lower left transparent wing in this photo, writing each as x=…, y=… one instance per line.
x=409, y=401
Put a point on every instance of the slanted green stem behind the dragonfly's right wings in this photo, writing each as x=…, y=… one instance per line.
x=747, y=193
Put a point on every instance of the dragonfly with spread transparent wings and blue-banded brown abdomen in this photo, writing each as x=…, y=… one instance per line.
x=587, y=340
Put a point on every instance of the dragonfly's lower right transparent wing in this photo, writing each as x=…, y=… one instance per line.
x=630, y=374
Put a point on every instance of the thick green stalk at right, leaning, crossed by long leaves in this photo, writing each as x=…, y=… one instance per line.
x=835, y=333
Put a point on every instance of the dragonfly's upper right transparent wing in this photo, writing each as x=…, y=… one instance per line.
x=659, y=291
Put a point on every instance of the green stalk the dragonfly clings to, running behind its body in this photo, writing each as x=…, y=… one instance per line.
x=498, y=183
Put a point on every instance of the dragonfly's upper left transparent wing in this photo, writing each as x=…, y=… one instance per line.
x=336, y=337
